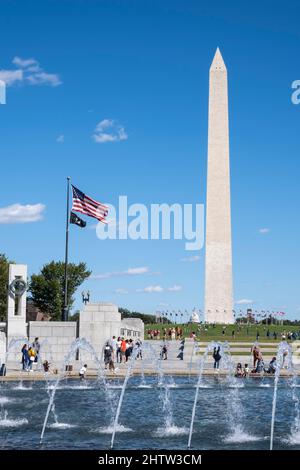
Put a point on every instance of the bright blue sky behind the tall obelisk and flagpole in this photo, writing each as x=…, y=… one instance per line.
x=144, y=64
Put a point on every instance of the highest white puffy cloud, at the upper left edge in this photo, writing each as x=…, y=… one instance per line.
x=28, y=72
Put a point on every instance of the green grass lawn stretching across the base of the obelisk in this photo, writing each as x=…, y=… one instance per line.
x=241, y=332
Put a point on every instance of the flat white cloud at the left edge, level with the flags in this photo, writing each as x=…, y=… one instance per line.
x=20, y=214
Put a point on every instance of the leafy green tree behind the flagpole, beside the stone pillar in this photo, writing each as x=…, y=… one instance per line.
x=47, y=288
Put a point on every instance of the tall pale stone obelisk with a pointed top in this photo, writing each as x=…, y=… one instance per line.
x=218, y=257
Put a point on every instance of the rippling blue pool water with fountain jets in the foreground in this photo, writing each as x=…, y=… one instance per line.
x=151, y=417
